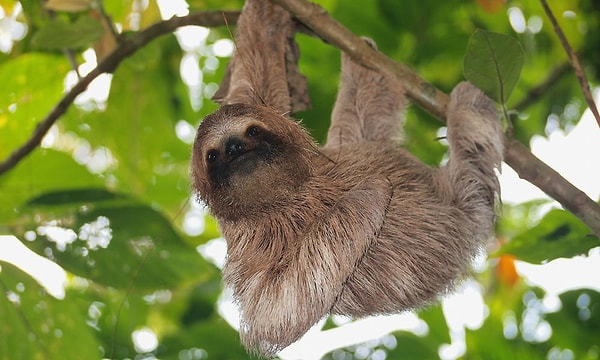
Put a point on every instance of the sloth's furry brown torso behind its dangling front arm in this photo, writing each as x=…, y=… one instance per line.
x=424, y=245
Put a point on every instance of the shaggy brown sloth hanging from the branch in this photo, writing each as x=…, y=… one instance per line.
x=356, y=227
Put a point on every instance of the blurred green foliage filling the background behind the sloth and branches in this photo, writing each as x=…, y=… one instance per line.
x=107, y=196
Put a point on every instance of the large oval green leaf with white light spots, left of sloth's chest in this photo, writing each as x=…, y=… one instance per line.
x=111, y=239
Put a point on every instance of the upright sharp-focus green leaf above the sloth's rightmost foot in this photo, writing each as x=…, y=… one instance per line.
x=493, y=63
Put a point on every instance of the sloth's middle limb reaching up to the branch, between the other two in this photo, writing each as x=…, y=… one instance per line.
x=369, y=105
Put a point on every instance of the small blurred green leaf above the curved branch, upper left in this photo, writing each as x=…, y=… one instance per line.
x=57, y=34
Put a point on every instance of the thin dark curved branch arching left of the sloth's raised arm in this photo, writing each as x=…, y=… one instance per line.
x=126, y=48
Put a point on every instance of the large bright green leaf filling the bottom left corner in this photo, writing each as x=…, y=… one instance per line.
x=34, y=325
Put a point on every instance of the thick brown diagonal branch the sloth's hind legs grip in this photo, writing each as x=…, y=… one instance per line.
x=434, y=101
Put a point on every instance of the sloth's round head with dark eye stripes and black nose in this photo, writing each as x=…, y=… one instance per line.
x=248, y=159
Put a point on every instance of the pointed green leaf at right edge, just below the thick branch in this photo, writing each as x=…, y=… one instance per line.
x=558, y=234
